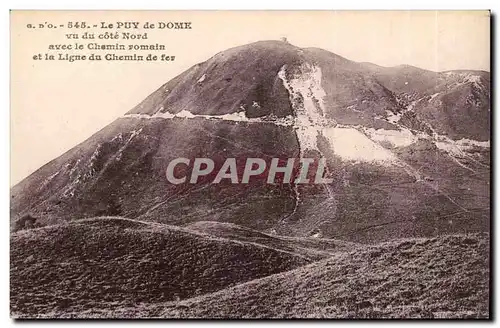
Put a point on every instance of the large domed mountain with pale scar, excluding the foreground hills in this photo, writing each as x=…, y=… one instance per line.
x=407, y=149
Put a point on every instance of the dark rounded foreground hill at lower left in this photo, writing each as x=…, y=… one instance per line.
x=115, y=262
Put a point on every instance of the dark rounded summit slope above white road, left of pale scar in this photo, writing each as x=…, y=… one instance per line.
x=231, y=80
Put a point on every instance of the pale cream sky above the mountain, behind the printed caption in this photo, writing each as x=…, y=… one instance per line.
x=56, y=104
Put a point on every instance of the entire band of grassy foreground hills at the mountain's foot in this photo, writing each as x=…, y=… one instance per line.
x=119, y=268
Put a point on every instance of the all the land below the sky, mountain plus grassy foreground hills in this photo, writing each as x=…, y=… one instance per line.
x=400, y=229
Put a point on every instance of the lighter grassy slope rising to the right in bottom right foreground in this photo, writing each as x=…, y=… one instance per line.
x=444, y=277
